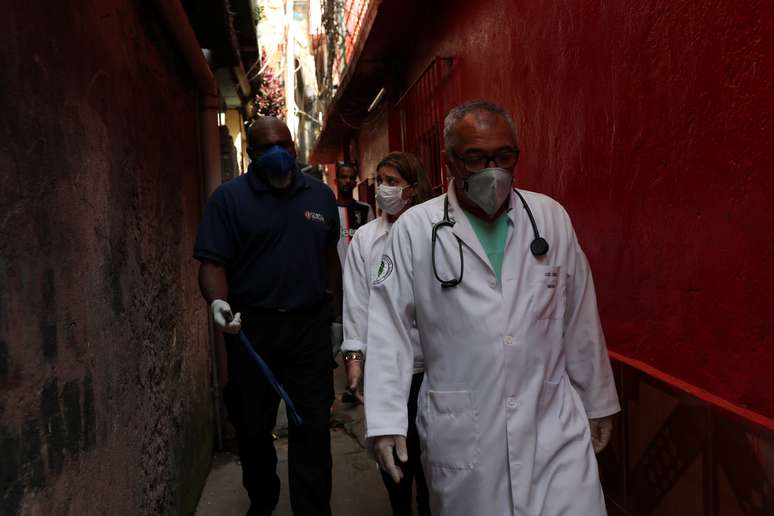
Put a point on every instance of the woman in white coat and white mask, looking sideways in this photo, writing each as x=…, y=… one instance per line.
x=401, y=183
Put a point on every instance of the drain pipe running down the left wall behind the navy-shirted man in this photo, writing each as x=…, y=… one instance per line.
x=179, y=27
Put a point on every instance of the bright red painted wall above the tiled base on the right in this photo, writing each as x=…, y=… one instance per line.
x=650, y=122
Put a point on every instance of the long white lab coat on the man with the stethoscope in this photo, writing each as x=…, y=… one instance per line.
x=511, y=373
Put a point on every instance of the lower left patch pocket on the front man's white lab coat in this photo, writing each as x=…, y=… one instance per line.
x=452, y=439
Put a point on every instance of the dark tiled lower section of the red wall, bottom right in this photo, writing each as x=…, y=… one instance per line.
x=673, y=454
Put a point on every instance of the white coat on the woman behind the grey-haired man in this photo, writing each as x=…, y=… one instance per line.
x=361, y=268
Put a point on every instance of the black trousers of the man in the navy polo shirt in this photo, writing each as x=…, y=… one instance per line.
x=296, y=347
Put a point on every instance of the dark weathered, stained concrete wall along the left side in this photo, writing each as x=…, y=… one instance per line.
x=104, y=364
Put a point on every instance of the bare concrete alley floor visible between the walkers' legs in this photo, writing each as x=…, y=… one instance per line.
x=357, y=486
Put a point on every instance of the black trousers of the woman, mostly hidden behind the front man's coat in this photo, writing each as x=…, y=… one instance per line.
x=400, y=493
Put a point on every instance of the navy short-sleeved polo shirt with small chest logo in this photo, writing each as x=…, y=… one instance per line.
x=272, y=245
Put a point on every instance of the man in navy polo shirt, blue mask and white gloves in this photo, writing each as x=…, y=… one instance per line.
x=267, y=246
